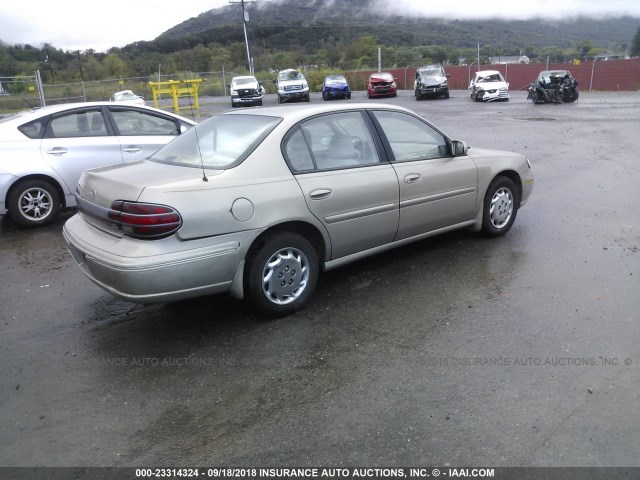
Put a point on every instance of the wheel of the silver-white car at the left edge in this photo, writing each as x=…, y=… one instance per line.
x=33, y=203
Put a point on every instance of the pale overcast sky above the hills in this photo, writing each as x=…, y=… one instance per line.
x=80, y=25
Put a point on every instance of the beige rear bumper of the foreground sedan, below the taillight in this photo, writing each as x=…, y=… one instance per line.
x=148, y=271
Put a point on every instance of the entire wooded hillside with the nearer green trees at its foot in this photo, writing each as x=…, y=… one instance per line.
x=332, y=34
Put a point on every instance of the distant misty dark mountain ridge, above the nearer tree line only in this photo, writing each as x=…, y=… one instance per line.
x=309, y=25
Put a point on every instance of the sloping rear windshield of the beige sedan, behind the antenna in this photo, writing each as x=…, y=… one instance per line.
x=218, y=143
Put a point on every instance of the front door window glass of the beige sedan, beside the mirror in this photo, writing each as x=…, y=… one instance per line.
x=409, y=138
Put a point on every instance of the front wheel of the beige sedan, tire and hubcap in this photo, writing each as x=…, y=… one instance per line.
x=500, y=207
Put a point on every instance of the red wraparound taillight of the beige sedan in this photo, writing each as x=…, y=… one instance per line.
x=144, y=220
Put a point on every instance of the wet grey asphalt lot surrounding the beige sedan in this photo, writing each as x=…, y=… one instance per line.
x=517, y=351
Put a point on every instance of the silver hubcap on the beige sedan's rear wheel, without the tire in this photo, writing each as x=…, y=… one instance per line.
x=285, y=276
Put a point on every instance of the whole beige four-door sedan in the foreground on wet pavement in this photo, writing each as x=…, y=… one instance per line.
x=257, y=203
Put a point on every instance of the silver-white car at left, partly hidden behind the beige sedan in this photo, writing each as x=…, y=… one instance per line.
x=44, y=151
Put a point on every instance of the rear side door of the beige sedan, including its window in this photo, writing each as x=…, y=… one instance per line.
x=346, y=182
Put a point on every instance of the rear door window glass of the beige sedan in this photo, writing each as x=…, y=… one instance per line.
x=340, y=140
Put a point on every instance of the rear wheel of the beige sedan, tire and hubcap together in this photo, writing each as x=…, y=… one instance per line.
x=293, y=262
